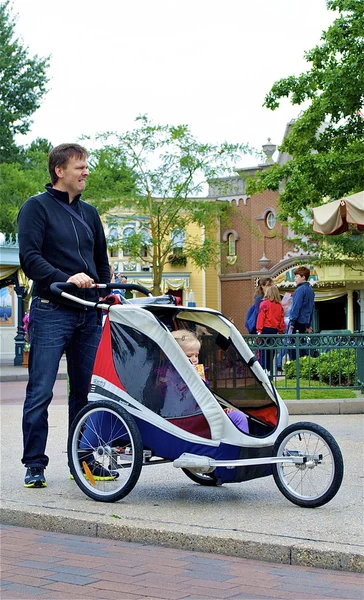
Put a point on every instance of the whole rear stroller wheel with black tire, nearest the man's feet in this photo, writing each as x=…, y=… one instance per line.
x=105, y=432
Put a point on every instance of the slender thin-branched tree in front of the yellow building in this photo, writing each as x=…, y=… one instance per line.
x=170, y=168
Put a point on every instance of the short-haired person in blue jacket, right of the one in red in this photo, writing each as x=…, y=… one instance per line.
x=301, y=314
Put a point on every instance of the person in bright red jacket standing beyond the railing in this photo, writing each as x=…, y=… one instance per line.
x=270, y=320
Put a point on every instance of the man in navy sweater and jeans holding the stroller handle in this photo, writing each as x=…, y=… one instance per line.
x=58, y=245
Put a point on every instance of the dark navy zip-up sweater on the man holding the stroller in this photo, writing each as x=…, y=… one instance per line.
x=53, y=245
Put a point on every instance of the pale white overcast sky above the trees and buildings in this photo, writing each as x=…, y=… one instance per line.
x=206, y=63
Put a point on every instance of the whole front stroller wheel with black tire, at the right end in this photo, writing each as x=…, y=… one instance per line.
x=314, y=482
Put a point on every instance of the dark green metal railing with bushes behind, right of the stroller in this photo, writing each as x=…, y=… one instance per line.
x=317, y=361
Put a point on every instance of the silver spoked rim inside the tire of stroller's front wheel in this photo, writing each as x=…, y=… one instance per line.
x=312, y=479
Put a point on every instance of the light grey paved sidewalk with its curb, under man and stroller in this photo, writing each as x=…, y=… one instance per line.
x=248, y=520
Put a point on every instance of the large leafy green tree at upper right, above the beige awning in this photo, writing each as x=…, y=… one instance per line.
x=326, y=142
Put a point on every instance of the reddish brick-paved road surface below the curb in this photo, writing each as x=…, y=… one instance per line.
x=52, y=566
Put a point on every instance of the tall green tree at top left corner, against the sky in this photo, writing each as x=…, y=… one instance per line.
x=23, y=82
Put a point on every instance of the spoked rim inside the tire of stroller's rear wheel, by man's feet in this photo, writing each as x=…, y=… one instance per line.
x=102, y=435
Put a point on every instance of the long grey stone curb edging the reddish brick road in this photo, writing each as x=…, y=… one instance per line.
x=297, y=554
